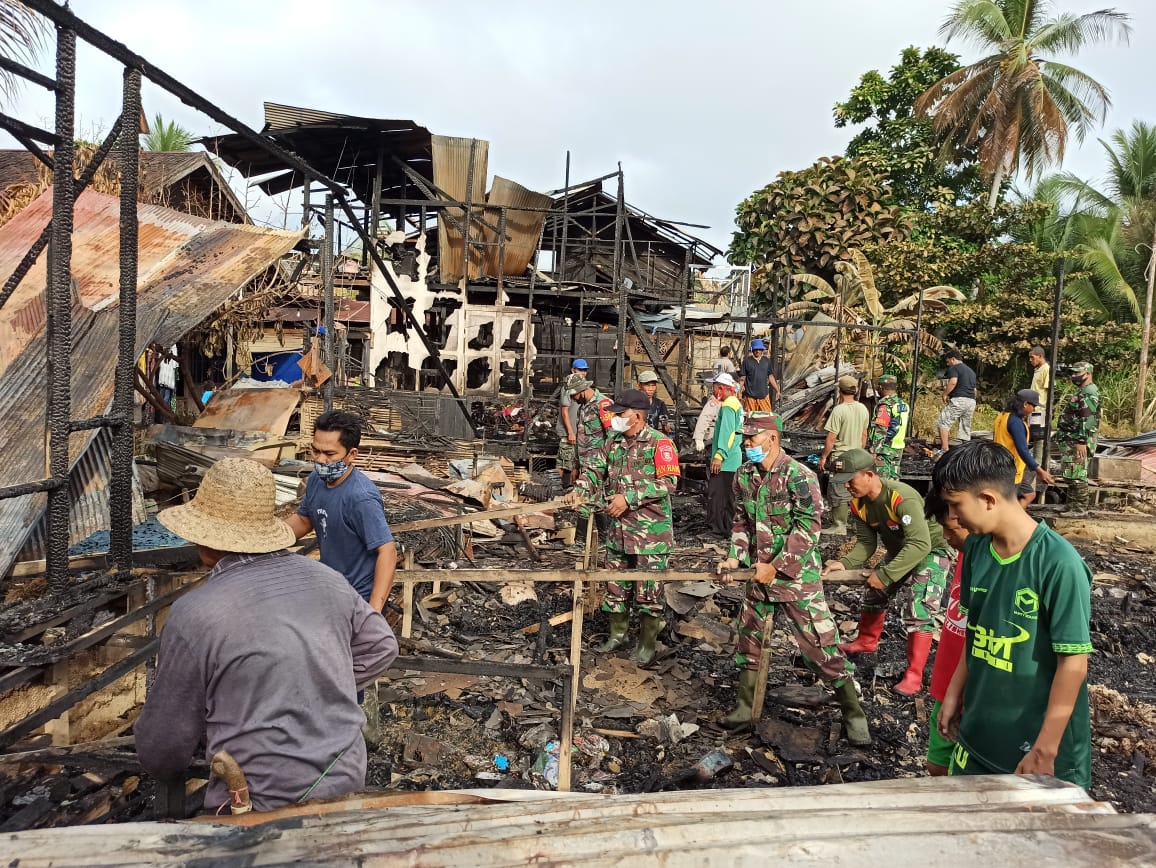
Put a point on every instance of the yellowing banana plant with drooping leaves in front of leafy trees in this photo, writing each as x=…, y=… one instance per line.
x=856, y=299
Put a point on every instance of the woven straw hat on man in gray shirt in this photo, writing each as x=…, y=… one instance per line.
x=233, y=511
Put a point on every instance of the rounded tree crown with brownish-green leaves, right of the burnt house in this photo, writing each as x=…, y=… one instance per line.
x=807, y=221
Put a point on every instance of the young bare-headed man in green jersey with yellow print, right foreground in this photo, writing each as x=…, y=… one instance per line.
x=1019, y=700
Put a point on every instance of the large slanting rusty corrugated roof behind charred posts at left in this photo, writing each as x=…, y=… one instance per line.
x=188, y=266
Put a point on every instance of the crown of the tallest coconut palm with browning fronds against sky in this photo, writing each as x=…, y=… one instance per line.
x=1019, y=103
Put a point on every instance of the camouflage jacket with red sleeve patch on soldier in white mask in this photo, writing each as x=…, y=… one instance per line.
x=644, y=470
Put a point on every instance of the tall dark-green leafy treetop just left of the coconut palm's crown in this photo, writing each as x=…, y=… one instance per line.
x=906, y=145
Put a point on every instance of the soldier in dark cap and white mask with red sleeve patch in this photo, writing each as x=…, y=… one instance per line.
x=632, y=479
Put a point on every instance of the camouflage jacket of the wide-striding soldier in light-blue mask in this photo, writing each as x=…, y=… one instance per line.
x=777, y=517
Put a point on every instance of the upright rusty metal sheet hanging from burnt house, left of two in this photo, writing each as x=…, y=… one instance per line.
x=451, y=175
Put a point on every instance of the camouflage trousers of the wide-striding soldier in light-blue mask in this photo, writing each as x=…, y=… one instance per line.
x=812, y=627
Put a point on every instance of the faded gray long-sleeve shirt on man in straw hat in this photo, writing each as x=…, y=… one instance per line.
x=264, y=661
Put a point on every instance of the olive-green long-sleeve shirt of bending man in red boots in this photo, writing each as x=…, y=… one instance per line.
x=896, y=520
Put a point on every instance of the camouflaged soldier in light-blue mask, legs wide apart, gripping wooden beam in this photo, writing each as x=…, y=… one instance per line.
x=779, y=510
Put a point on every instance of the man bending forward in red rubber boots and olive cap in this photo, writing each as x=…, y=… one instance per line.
x=918, y=561
